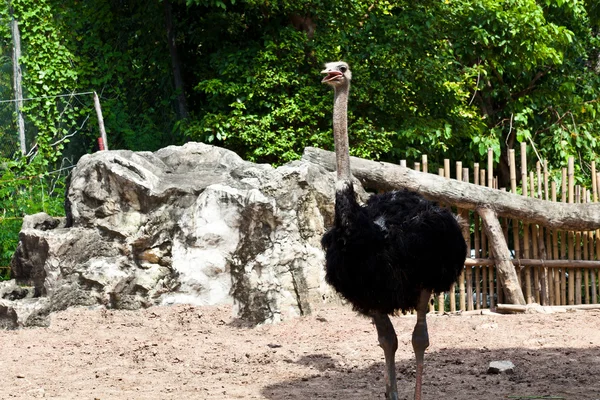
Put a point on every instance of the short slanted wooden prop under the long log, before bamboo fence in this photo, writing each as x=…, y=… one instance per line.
x=504, y=266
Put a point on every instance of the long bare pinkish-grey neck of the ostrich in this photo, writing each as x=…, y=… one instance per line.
x=340, y=133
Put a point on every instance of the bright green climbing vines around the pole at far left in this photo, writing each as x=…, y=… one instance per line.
x=26, y=186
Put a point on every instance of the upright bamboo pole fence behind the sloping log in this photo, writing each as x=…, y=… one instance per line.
x=554, y=267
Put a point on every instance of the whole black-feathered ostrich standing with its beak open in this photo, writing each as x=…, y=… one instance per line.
x=391, y=254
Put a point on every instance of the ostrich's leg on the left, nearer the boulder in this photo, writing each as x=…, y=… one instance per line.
x=389, y=343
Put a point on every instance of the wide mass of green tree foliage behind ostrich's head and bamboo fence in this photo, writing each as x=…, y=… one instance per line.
x=452, y=78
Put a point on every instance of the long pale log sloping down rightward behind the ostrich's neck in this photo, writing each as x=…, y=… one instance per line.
x=386, y=176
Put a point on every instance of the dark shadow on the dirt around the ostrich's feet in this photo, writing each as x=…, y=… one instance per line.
x=549, y=373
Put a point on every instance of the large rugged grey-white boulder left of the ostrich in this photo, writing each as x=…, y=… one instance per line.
x=192, y=224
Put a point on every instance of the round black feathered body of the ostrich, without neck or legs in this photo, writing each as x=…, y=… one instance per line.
x=381, y=255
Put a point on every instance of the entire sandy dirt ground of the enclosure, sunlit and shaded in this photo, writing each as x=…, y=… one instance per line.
x=185, y=352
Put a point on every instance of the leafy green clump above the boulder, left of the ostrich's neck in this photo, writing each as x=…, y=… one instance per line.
x=260, y=103
